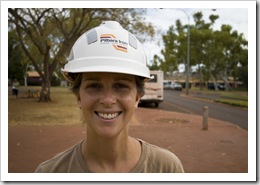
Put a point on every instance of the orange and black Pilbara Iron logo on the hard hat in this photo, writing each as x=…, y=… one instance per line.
x=117, y=43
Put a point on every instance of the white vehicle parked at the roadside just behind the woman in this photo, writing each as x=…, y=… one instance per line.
x=154, y=89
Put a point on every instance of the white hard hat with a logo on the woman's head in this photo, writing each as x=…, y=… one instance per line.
x=107, y=48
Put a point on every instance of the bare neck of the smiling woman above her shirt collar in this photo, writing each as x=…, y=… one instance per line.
x=118, y=154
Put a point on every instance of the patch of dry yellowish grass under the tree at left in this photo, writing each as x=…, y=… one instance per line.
x=63, y=109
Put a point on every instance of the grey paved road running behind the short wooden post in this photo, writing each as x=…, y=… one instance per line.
x=174, y=102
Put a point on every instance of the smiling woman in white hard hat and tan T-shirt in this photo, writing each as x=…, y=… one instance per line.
x=107, y=67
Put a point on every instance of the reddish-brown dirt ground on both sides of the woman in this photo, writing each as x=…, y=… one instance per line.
x=223, y=148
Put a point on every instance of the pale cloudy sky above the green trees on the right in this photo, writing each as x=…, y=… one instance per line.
x=163, y=18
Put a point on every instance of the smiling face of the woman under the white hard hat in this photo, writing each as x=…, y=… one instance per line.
x=107, y=101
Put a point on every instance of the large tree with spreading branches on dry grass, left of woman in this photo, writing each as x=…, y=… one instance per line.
x=46, y=35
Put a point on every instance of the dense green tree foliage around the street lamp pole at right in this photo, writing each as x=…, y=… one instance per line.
x=215, y=53
